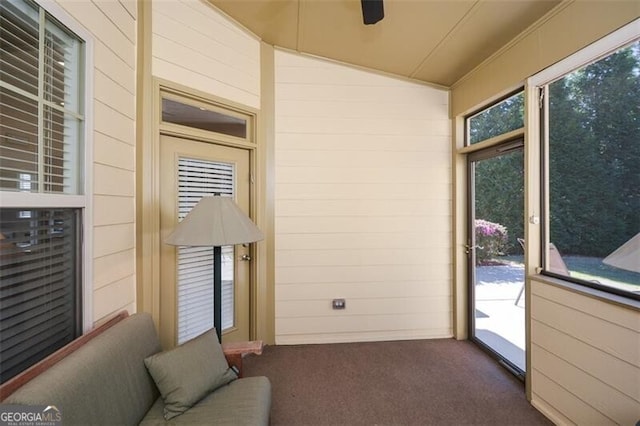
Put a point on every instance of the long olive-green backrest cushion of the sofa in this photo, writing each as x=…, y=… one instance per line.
x=104, y=381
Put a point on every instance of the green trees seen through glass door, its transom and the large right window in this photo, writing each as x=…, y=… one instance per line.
x=594, y=158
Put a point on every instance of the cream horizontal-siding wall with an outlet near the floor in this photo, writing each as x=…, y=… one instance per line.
x=362, y=205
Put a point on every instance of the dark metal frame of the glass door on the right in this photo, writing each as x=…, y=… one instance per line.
x=504, y=146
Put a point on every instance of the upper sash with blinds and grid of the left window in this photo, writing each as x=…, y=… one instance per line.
x=40, y=102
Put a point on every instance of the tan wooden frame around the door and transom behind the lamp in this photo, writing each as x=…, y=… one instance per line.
x=148, y=205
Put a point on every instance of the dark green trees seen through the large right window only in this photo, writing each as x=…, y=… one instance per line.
x=594, y=155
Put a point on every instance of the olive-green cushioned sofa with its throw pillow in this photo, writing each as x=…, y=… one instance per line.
x=120, y=376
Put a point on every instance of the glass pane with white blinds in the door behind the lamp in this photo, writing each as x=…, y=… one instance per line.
x=197, y=178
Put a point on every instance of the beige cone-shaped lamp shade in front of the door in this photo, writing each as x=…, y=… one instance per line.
x=215, y=221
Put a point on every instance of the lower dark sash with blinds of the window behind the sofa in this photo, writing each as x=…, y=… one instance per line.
x=39, y=272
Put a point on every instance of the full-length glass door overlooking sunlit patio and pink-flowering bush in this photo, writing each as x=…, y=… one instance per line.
x=495, y=252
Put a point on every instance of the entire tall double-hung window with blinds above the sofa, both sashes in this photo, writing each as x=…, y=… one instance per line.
x=41, y=152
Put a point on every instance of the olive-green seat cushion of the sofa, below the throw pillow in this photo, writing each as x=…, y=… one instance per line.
x=244, y=401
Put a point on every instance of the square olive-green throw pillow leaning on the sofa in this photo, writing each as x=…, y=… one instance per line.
x=186, y=374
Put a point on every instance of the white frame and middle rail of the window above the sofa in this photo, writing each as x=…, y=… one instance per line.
x=82, y=201
